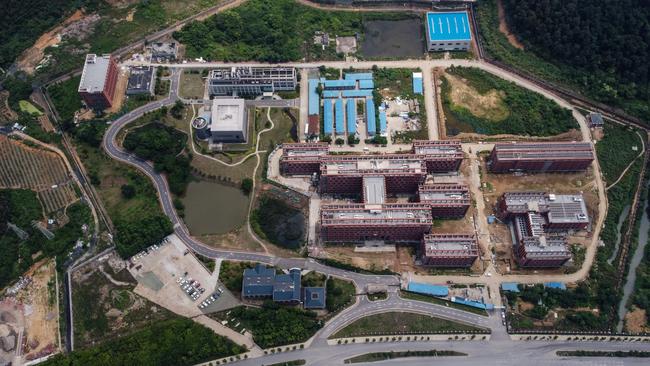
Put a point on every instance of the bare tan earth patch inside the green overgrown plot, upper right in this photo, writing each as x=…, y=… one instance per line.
x=489, y=105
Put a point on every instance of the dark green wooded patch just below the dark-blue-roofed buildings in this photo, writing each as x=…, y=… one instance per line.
x=272, y=325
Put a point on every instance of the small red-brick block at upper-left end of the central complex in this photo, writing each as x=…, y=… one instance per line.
x=302, y=158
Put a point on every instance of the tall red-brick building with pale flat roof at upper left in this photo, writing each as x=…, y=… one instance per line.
x=98, y=81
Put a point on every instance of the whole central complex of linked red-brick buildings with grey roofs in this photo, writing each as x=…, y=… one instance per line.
x=377, y=176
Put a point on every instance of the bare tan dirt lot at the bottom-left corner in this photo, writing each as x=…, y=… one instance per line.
x=32, y=315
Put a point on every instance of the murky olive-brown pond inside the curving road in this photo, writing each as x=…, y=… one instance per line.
x=213, y=208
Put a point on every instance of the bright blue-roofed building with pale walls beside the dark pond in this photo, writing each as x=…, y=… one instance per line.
x=448, y=31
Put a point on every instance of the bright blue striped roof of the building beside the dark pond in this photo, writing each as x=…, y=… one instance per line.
x=448, y=26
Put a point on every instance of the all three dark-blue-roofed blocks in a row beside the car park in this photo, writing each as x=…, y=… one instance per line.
x=262, y=282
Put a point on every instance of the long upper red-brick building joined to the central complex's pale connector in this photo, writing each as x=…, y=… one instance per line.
x=343, y=174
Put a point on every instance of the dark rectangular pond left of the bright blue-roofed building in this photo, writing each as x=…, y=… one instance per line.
x=393, y=38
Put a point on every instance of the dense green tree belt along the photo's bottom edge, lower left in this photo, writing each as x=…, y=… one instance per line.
x=174, y=342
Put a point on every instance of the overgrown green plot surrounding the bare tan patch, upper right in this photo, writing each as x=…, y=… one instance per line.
x=524, y=112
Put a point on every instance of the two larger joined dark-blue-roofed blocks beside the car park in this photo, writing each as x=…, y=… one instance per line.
x=263, y=282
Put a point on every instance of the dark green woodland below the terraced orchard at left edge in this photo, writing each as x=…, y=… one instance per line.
x=21, y=207
